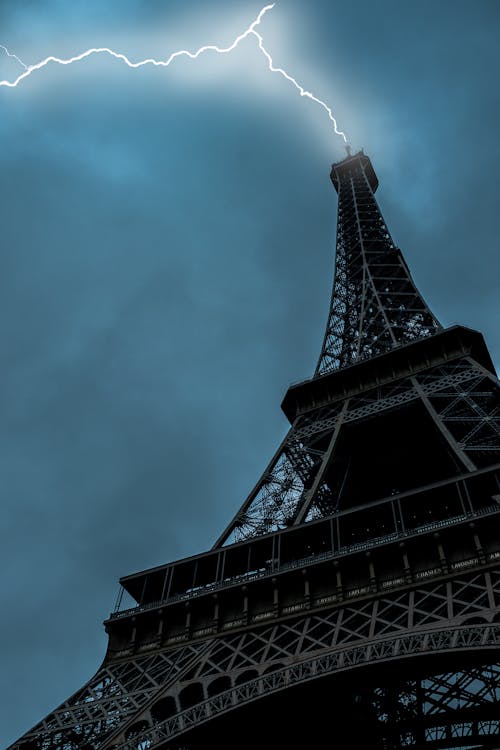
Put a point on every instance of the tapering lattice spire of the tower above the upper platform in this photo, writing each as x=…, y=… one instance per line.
x=375, y=304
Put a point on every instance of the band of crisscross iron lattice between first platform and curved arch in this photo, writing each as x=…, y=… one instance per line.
x=471, y=596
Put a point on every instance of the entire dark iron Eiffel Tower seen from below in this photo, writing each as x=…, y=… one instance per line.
x=353, y=601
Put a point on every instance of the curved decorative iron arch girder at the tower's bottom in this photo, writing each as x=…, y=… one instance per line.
x=443, y=690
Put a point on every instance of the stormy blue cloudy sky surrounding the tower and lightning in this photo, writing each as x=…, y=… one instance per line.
x=167, y=244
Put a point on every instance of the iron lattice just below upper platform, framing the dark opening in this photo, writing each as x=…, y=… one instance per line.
x=461, y=395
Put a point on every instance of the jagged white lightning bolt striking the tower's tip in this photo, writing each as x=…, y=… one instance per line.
x=250, y=31
